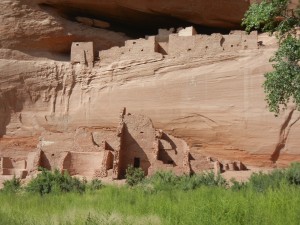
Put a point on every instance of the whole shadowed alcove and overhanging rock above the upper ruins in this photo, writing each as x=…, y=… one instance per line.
x=58, y=23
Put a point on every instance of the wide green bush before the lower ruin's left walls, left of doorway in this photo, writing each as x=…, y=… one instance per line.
x=47, y=182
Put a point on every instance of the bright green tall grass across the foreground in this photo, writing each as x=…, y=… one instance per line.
x=123, y=205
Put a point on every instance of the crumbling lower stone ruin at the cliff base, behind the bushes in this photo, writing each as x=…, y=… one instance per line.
x=107, y=153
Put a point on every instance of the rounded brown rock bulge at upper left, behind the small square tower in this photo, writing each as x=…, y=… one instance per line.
x=42, y=31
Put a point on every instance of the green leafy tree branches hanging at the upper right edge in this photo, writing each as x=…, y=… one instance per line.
x=282, y=85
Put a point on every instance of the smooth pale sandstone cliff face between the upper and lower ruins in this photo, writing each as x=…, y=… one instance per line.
x=215, y=103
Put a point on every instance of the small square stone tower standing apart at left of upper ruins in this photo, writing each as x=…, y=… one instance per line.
x=83, y=53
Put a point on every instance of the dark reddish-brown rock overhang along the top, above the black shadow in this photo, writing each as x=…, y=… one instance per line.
x=141, y=12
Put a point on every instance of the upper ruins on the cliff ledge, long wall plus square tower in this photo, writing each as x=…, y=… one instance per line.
x=167, y=43
